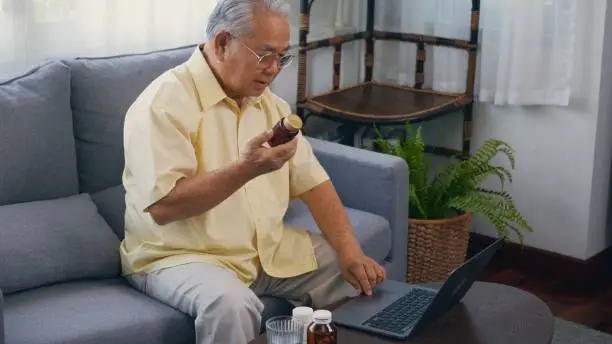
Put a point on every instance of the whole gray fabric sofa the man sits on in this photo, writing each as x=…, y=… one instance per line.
x=61, y=206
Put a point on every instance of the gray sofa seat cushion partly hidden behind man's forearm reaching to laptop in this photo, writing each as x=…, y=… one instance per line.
x=372, y=231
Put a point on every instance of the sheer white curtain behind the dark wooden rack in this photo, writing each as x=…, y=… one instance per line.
x=526, y=52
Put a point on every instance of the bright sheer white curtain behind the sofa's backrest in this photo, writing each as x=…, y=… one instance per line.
x=32, y=31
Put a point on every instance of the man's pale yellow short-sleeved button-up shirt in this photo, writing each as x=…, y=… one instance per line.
x=184, y=124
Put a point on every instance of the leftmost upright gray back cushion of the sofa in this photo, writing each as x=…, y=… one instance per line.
x=37, y=152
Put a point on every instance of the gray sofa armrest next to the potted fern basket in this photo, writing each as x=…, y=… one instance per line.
x=372, y=182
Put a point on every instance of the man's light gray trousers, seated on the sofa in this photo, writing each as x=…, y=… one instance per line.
x=227, y=311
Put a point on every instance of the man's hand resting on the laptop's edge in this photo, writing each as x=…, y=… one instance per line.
x=361, y=271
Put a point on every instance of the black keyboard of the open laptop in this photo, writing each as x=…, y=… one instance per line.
x=402, y=313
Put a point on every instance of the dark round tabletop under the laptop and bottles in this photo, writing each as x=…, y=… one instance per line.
x=490, y=313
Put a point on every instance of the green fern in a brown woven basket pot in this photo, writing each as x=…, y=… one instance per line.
x=443, y=201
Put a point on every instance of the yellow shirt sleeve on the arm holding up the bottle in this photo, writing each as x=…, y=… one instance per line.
x=158, y=153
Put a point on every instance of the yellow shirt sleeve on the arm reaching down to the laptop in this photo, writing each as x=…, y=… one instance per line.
x=305, y=171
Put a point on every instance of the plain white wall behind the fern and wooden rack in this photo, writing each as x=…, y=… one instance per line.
x=561, y=182
